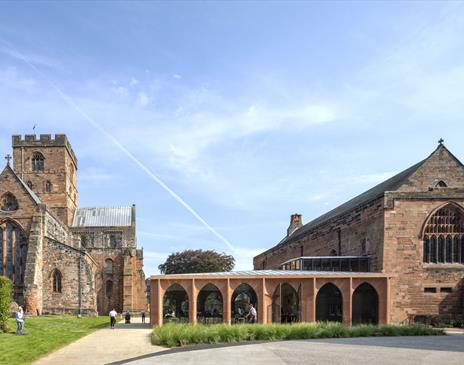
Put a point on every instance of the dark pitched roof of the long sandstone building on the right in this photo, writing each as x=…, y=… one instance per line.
x=376, y=192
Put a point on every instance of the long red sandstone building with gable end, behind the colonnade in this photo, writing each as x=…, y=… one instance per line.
x=410, y=227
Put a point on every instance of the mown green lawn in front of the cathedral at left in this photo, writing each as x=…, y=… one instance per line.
x=46, y=334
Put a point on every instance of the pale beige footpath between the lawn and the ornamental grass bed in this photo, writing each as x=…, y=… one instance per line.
x=105, y=346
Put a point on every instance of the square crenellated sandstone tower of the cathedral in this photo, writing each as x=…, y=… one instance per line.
x=49, y=167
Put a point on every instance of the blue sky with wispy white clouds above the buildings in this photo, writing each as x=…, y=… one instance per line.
x=221, y=119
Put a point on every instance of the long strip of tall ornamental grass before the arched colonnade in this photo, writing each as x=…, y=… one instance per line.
x=173, y=334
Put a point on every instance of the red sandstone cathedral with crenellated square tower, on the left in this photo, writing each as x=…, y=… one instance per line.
x=62, y=258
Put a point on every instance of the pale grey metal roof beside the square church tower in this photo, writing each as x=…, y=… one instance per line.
x=118, y=216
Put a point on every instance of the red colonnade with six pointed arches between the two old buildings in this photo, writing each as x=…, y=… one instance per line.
x=282, y=298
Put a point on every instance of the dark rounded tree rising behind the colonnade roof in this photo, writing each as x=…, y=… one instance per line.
x=192, y=261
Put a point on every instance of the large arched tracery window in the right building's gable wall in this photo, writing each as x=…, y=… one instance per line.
x=444, y=236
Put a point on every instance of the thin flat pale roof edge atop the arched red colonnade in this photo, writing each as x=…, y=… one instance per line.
x=271, y=273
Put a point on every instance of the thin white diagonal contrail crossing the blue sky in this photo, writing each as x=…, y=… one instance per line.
x=129, y=154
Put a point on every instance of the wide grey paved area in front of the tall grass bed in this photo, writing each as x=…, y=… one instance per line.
x=433, y=350
